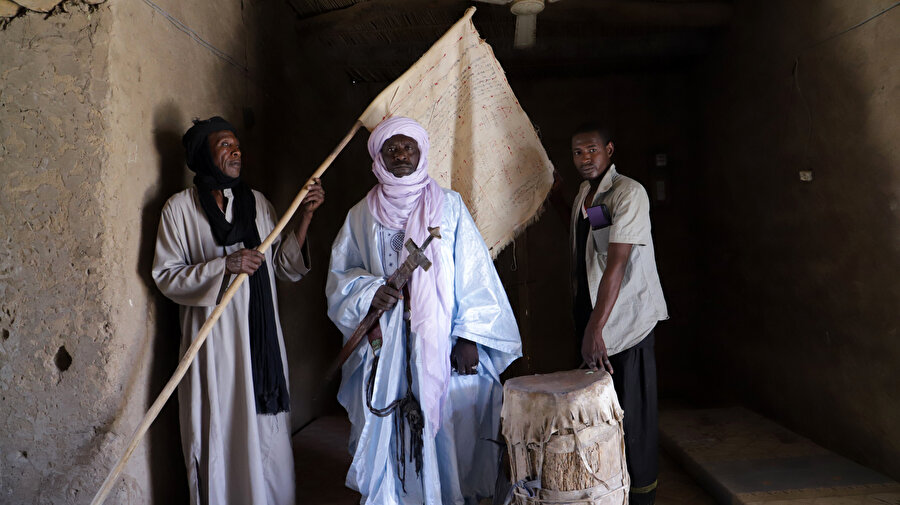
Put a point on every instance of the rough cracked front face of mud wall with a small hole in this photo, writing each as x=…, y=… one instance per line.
x=58, y=343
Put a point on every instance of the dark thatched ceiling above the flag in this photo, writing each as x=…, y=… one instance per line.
x=376, y=40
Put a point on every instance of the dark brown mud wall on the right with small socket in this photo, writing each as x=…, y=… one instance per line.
x=807, y=336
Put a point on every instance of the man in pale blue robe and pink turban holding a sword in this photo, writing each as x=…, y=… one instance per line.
x=459, y=317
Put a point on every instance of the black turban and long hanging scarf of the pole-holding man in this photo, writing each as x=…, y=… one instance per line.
x=269, y=387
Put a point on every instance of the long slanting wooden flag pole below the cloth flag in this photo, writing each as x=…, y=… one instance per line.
x=191, y=352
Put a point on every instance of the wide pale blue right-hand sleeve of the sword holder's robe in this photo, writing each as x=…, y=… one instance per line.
x=482, y=314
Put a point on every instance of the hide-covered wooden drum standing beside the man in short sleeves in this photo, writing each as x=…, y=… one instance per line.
x=565, y=439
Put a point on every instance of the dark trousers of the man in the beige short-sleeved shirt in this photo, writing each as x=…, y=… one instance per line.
x=634, y=377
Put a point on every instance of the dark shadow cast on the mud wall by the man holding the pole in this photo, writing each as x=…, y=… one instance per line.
x=167, y=473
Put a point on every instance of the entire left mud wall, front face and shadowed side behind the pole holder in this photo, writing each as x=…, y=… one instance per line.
x=93, y=103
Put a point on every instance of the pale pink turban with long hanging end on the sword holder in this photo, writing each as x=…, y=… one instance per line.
x=413, y=203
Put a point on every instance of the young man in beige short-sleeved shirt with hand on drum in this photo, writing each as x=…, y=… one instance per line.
x=617, y=295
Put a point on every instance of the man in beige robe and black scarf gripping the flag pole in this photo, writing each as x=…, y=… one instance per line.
x=233, y=402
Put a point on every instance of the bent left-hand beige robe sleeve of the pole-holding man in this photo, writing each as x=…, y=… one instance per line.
x=195, y=285
